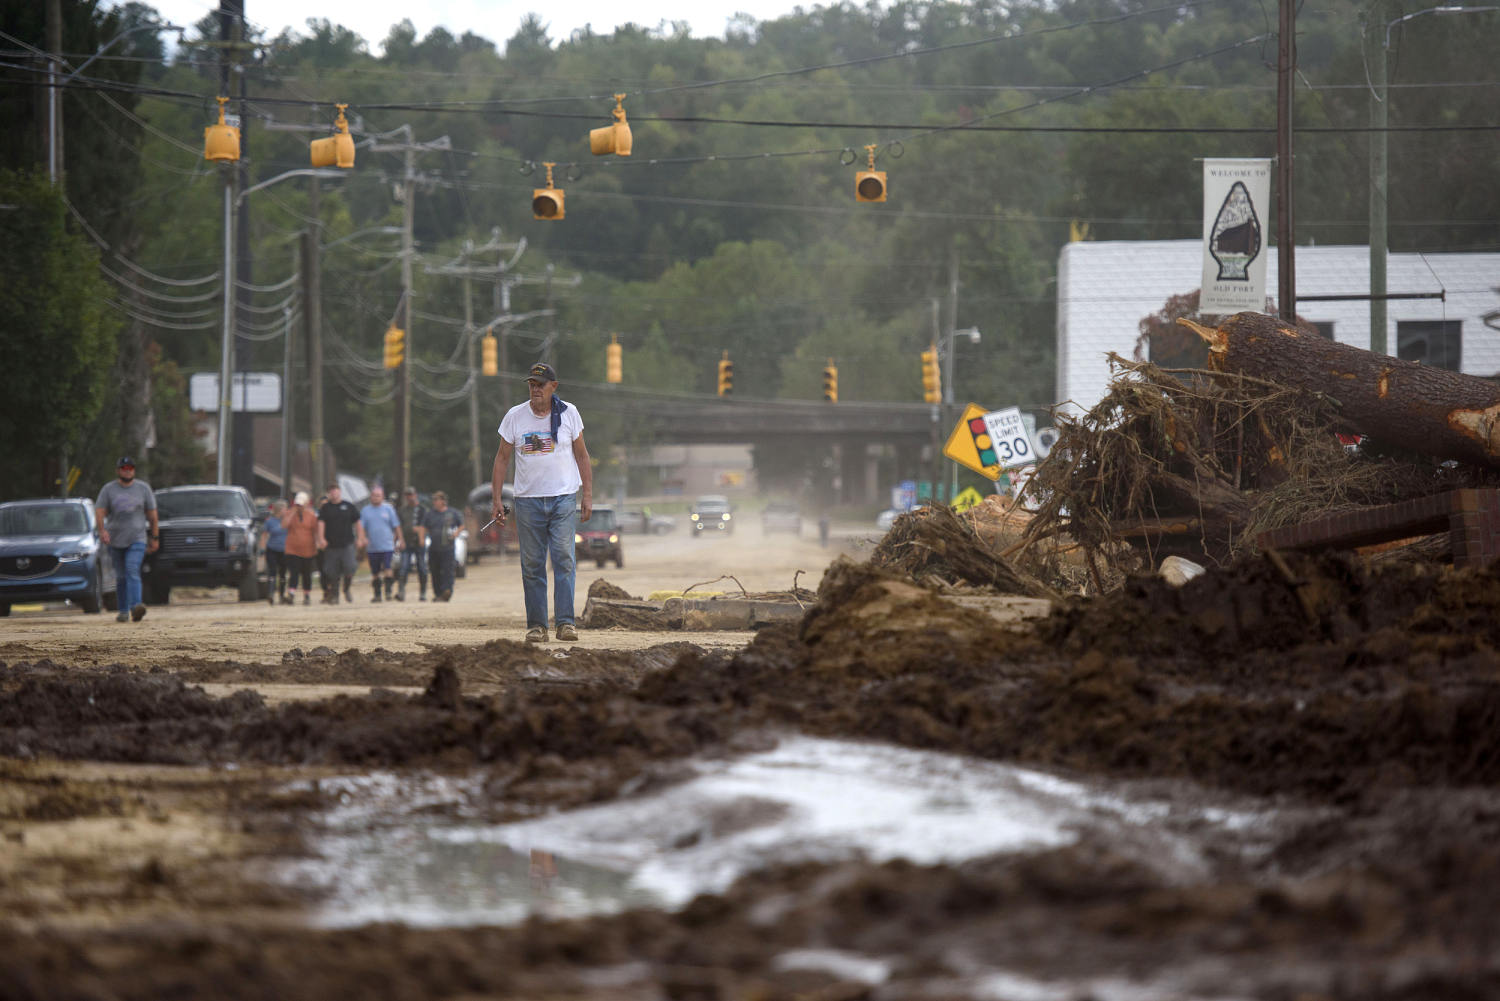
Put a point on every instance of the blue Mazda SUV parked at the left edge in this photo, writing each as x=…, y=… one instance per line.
x=50, y=550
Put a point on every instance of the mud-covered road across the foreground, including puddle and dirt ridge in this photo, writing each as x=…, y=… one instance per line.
x=1255, y=787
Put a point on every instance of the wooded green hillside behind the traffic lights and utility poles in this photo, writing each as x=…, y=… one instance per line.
x=734, y=224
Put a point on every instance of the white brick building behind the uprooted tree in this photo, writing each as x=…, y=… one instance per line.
x=1105, y=290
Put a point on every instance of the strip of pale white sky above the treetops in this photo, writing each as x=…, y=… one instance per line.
x=496, y=20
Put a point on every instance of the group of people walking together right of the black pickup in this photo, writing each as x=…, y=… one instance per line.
x=299, y=540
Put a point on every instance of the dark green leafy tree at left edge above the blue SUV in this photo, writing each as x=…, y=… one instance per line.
x=59, y=344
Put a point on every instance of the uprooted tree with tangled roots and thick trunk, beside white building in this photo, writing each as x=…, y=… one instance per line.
x=1201, y=461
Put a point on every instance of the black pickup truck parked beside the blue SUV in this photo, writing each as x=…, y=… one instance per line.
x=208, y=540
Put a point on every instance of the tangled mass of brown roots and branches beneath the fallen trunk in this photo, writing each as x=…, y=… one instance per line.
x=1199, y=463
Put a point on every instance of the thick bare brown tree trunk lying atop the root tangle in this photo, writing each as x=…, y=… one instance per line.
x=1403, y=404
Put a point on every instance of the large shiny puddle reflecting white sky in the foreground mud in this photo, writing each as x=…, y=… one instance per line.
x=415, y=850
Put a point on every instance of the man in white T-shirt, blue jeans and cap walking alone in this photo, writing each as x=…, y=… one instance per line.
x=547, y=437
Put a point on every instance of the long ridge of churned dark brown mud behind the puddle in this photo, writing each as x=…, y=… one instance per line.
x=1244, y=679
